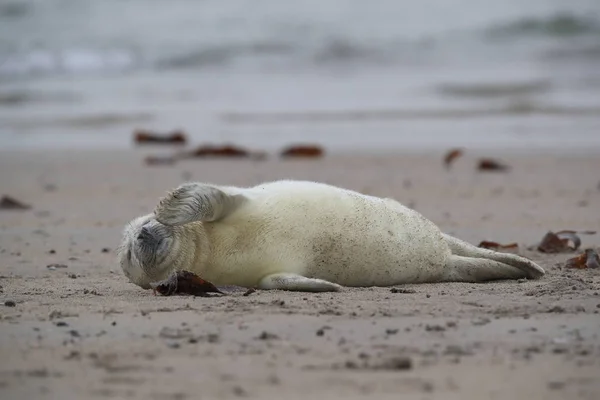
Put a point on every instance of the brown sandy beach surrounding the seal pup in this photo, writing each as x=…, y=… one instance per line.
x=84, y=332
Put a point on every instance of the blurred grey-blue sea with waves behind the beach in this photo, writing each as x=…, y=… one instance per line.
x=347, y=74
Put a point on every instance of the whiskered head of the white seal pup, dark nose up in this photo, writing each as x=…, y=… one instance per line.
x=150, y=251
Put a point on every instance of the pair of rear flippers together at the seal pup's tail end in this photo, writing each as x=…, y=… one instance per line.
x=469, y=263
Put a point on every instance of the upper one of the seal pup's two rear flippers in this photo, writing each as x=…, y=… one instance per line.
x=528, y=268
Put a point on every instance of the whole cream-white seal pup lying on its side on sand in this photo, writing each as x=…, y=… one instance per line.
x=301, y=235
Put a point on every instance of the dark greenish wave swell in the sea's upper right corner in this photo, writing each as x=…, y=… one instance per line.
x=559, y=24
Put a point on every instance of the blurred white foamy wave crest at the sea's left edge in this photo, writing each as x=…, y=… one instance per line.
x=43, y=62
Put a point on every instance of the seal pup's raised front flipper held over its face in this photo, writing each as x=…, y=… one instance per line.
x=192, y=202
